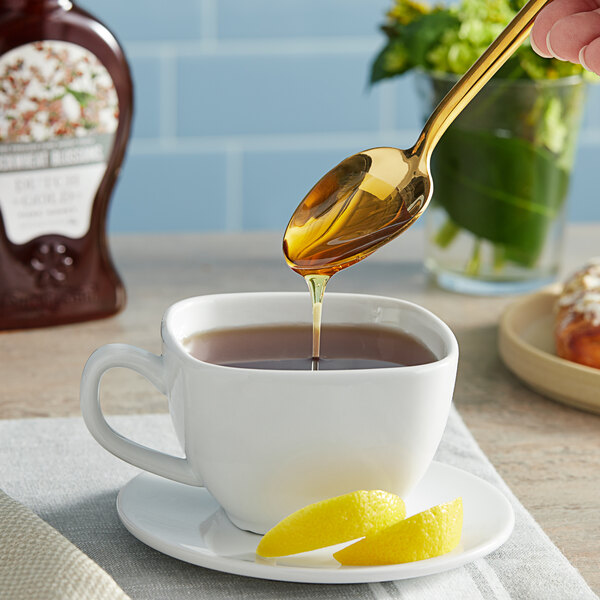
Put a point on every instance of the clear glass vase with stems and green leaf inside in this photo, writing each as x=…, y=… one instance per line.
x=501, y=176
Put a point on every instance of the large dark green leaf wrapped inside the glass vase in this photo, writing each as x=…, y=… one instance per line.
x=501, y=189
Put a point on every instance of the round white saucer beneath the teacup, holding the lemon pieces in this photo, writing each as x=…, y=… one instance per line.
x=186, y=522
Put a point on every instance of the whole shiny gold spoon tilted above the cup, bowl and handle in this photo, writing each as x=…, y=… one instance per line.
x=373, y=196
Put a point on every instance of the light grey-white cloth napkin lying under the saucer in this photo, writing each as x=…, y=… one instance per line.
x=55, y=467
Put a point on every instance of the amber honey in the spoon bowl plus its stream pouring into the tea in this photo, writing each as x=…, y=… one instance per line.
x=347, y=215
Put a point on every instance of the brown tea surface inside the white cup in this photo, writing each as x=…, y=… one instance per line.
x=289, y=347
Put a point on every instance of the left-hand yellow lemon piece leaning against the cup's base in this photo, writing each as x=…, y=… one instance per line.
x=332, y=521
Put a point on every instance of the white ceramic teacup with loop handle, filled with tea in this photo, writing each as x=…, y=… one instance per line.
x=267, y=442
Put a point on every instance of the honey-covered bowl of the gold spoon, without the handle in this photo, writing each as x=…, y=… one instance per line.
x=361, y=204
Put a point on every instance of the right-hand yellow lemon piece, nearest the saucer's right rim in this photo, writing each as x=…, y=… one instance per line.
x=427, y=534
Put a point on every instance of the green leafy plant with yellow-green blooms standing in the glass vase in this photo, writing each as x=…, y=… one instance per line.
x=501, y=171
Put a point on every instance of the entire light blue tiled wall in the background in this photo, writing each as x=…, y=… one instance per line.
x=225, y=87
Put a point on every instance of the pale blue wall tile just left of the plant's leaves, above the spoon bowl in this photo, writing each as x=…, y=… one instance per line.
x=258, y=95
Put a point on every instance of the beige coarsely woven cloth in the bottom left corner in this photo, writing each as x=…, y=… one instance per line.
x=37, y=562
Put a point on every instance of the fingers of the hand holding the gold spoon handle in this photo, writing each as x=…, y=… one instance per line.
x=569, y=30
